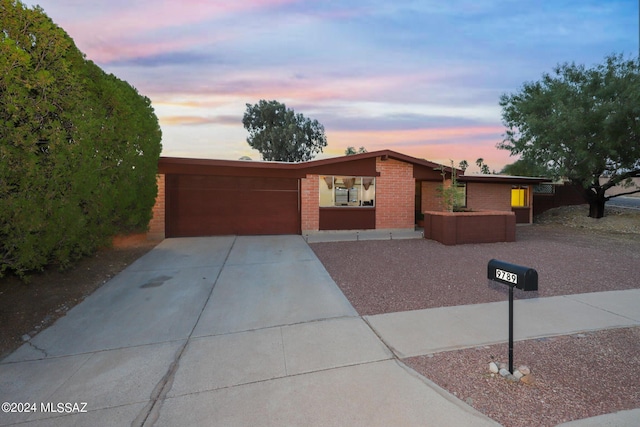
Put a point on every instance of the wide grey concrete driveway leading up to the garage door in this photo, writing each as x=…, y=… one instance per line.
x=219, y=331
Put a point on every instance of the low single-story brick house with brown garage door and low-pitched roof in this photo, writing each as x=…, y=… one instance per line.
x=376, y=190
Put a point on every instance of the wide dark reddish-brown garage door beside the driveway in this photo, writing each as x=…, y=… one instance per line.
x=216, y=205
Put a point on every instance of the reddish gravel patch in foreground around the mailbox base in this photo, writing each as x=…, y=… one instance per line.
x=575, y=377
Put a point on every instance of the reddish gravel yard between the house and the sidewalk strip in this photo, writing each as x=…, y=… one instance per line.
x=385, y=276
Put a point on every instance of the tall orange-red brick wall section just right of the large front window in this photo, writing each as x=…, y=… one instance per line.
x=395, y=194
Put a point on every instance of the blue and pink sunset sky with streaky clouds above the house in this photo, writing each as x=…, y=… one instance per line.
x=420, y=77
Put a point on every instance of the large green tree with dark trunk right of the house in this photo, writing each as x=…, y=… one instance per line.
x=579, y=123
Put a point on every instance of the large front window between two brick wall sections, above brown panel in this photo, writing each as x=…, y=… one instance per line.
x=347, y=191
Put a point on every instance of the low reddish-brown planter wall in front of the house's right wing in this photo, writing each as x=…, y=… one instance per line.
x=456, y=228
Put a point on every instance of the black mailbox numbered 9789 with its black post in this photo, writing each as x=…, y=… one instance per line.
x=515, y=276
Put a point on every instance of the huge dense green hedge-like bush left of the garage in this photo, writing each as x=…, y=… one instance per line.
x=78, y=147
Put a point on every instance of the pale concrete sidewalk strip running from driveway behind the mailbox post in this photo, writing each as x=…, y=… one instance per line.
x=411, y=333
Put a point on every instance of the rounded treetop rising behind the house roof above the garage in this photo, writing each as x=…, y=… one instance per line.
x=279, y=134
